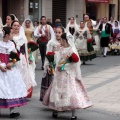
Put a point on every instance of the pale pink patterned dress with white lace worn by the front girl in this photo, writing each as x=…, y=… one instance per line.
x=66, y=92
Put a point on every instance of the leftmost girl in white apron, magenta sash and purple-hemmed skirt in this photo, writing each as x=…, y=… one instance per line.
x=12, y=88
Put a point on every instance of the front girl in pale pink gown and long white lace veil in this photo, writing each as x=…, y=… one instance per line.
x=67, y=91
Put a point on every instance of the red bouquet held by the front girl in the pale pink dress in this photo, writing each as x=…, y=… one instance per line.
x=69, y=59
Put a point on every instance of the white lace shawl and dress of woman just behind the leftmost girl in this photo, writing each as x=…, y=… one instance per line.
x=23, y=64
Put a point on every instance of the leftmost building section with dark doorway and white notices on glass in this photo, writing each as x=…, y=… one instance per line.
x=21, y=8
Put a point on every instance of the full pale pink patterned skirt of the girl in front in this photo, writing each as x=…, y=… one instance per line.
x=66, y=93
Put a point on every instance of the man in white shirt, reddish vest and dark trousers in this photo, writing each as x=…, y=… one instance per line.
x=44, y=32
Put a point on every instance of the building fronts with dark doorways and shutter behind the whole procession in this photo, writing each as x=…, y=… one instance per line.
x=62, y=9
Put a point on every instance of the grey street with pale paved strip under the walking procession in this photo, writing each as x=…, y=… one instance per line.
x=101, y=77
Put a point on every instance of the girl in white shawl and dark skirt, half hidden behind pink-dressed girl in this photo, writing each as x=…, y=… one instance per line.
x=52, y=46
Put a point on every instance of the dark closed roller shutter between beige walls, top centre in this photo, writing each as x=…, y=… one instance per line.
x=59, y=11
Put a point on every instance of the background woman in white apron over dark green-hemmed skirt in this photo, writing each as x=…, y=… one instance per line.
x=83, y=42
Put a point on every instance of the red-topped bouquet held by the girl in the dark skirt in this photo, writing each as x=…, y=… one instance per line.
x=50, y=57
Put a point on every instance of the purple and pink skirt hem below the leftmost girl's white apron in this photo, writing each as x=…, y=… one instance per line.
x=8, y=103
